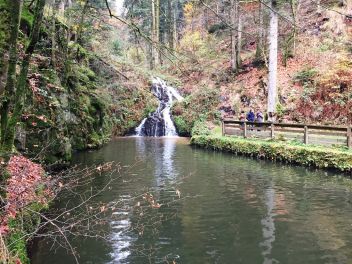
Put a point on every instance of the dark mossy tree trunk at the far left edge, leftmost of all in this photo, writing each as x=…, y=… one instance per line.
x=15, y=9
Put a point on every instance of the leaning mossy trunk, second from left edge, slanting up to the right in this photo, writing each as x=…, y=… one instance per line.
x=9, y=136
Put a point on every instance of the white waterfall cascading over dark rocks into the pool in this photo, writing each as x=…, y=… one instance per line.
x=159, y=123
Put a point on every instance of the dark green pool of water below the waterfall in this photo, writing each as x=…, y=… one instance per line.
x=230, y=210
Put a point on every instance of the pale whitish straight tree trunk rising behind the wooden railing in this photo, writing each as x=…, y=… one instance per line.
x=273, y=47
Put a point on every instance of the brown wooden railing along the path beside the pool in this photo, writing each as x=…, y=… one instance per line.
x=308, y=134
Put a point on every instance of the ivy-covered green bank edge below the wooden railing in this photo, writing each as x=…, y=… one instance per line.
x=311, y=156
